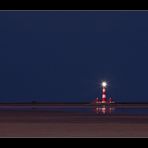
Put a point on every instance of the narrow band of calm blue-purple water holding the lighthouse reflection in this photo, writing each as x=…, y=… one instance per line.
x=81, y=109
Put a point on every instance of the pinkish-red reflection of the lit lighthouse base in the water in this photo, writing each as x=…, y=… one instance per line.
x=104, y=110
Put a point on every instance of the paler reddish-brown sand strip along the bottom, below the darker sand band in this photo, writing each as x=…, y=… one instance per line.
x=72, y=130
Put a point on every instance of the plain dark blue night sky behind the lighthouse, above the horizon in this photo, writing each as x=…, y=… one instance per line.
x=61, y=56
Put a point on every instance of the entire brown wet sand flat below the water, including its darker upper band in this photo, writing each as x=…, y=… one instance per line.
x=66, y=124
